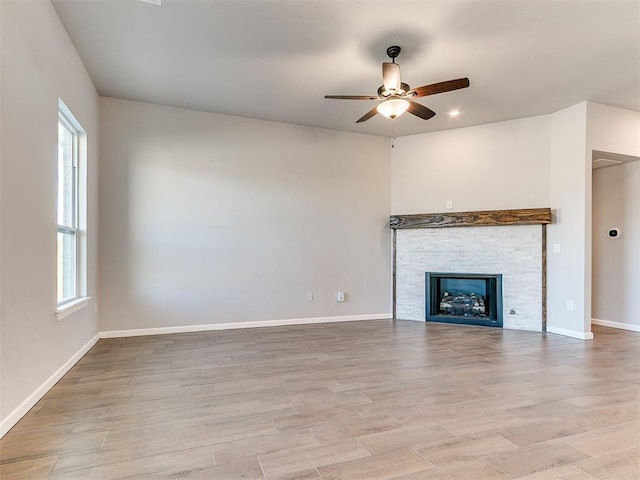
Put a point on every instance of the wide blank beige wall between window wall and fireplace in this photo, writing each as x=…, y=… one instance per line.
x=209, y=219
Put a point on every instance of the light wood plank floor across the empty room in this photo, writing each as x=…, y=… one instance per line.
x=363, y=400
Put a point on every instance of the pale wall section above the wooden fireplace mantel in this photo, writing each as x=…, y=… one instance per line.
x=489, y=167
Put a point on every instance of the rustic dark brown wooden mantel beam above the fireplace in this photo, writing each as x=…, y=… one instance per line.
x=524, y=216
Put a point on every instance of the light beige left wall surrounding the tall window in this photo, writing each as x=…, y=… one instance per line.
x=39, y=65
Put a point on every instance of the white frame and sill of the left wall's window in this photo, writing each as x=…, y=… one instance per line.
x=79, y=299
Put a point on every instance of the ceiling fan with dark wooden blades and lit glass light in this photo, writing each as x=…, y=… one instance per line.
x=397, y=96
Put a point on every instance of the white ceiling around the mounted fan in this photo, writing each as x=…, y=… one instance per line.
x=276, y=59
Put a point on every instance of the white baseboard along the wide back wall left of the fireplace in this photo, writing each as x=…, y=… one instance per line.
x=229, y=326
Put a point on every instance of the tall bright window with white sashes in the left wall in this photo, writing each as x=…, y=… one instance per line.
x=71, y=203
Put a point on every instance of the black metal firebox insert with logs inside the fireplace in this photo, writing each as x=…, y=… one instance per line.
x=469, y=298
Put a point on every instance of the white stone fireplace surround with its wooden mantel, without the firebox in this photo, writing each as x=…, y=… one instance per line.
x=507, y=242
